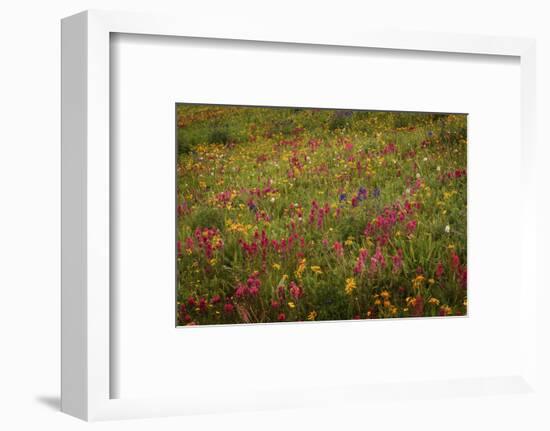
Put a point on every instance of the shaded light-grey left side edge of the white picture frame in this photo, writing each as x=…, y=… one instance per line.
x=74, y=307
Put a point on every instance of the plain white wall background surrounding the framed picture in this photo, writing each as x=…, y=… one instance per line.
x=30, y=200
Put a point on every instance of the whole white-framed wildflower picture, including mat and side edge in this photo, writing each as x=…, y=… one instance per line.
x=262, y=218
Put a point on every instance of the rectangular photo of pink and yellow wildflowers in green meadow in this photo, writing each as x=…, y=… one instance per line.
x=287, y=214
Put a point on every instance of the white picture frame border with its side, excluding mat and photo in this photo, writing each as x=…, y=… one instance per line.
x=86, y=312
